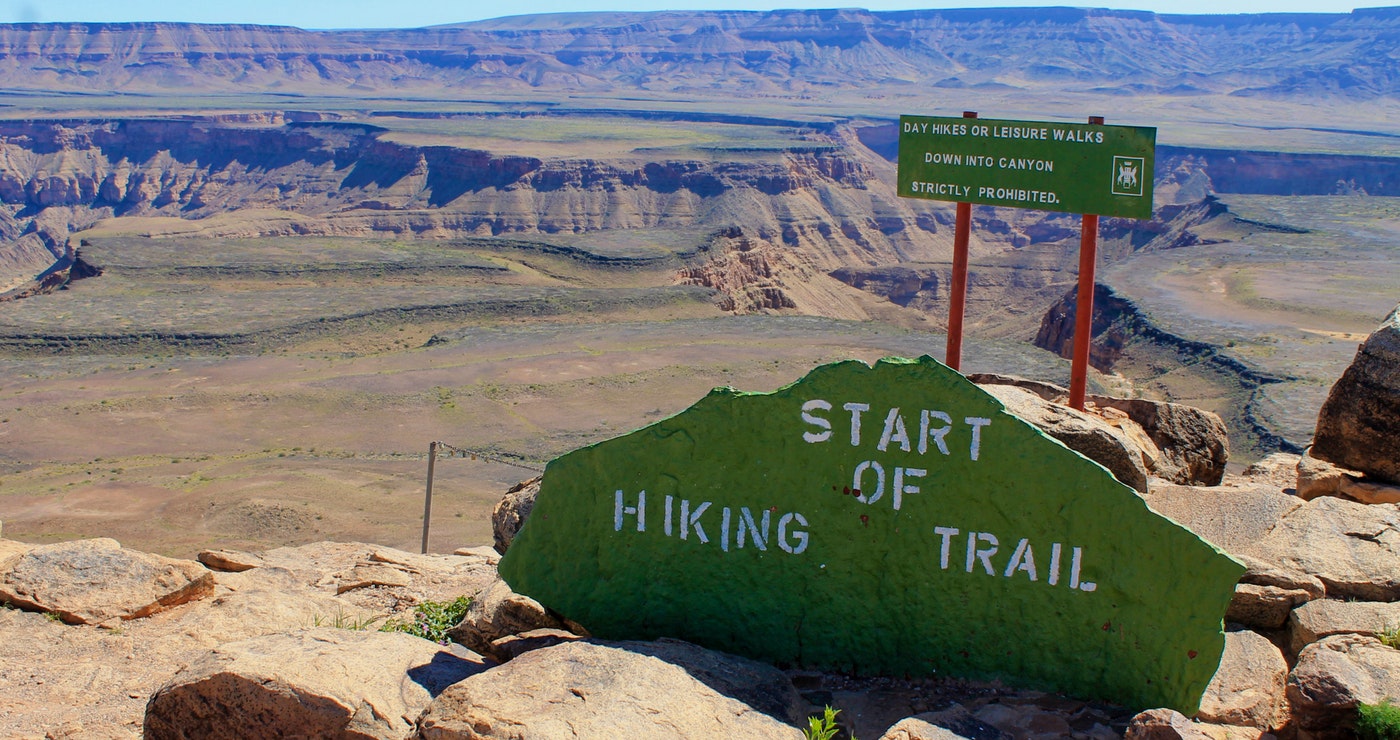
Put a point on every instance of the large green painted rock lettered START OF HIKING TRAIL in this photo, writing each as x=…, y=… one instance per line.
x=891, y=520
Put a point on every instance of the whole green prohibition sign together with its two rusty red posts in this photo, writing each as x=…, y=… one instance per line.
x=1091, y=170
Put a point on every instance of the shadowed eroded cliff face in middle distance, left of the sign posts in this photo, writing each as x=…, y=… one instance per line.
x=794, y=215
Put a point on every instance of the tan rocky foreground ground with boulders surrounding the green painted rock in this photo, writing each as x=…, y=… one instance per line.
x=101, y=641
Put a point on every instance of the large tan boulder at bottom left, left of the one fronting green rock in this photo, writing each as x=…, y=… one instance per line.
x=316, y=683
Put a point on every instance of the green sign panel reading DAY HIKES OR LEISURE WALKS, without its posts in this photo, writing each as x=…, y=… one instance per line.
x=1027, y=164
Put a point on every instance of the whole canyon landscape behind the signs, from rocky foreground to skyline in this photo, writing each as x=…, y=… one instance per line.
x=313, y=229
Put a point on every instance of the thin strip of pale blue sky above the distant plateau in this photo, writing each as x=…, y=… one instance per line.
x=418, y=13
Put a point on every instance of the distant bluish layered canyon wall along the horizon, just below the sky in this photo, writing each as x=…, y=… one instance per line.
x=736, y=54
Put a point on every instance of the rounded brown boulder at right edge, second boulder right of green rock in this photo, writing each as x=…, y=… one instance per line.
x=1333, y=676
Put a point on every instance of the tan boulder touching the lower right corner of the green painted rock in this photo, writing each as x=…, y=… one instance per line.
x=1248, y=690
